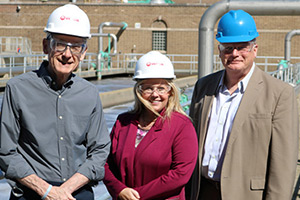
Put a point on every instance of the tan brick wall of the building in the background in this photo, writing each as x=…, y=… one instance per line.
x=182, y=21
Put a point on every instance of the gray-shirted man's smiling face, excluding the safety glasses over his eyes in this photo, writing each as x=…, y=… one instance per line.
x=63, y=63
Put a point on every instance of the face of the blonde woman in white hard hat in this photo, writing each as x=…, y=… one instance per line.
x=156, y=91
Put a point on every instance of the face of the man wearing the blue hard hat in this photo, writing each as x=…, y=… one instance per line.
x=238, y=57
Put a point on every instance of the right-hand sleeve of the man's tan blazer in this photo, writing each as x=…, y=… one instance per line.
x=284, y=147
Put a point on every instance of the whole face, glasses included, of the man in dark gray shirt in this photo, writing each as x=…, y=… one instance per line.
x=64, y=53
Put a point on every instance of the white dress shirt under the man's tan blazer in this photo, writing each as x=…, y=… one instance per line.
x=220, y=122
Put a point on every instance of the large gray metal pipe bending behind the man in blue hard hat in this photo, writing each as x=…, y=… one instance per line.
x=213, y=13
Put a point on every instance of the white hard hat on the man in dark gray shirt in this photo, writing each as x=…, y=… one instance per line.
x=70, y=20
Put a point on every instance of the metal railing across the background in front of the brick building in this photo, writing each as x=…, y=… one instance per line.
x=12, y=65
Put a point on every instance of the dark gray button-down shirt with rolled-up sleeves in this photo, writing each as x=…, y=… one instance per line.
x=52, y=133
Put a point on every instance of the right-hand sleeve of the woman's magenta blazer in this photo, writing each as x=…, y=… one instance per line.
x=185, y=152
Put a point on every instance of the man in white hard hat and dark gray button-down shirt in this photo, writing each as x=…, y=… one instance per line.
x=53, y=138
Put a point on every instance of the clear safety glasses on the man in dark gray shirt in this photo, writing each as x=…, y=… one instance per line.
x=61, y=46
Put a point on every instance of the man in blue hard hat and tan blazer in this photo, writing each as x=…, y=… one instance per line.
x=246, y=121
